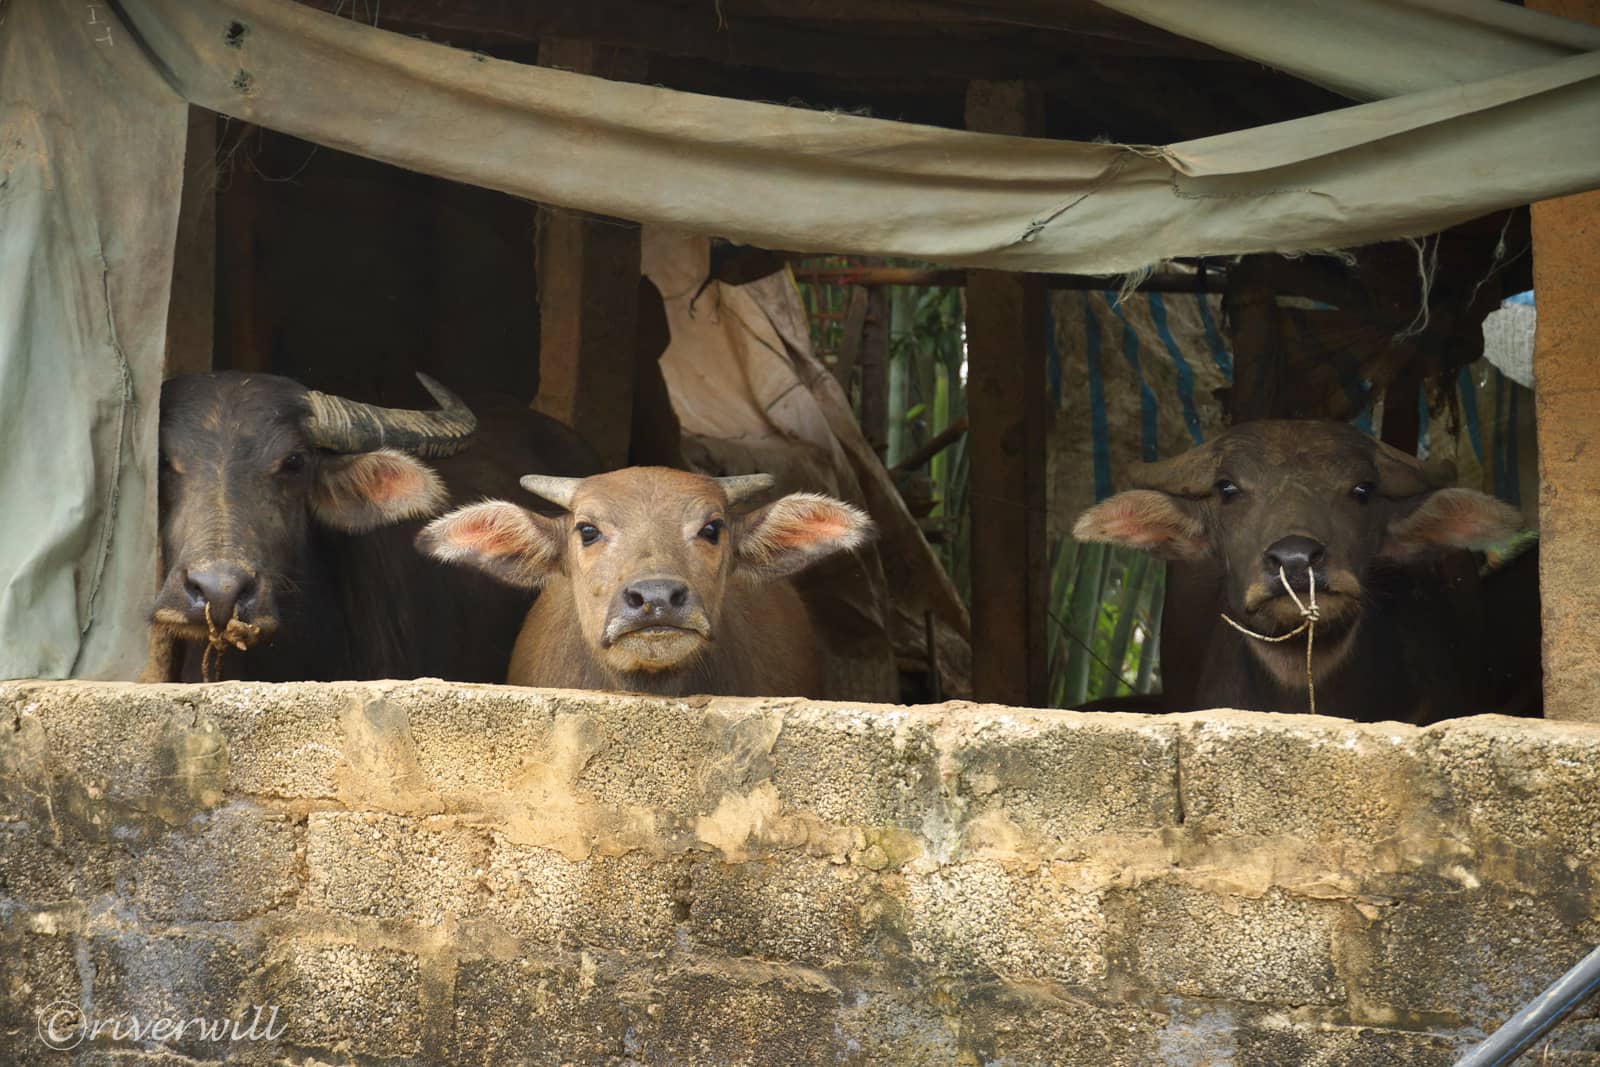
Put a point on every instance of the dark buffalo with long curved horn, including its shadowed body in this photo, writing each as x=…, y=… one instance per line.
x=289, y=521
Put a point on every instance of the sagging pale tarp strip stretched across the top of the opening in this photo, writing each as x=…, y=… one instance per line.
x=820, y=182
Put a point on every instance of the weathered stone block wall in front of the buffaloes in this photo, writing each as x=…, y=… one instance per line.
x=436, y=874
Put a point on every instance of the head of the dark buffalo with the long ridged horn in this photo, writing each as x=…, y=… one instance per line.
x=250, y=463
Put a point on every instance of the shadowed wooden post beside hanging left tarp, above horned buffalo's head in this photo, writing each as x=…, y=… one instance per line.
x=191, y=310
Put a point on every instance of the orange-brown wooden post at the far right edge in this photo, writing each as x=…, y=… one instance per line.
x=1567, y=369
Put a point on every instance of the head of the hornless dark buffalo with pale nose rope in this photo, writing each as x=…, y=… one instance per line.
x=1297, y=503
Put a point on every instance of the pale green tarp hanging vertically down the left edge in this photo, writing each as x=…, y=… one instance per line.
x=92, y=145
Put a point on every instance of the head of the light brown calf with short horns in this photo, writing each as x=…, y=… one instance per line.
x=649, y=553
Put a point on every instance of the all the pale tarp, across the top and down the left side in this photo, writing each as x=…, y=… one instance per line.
x=1495, y=108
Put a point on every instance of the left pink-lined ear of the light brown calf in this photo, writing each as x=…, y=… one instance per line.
x=505, y=541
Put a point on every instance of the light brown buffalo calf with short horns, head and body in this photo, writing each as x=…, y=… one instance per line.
x=655, y=581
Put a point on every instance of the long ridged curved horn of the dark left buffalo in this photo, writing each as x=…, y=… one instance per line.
x=348, y=426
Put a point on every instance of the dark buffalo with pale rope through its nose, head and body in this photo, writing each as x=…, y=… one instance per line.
x=1271, y=508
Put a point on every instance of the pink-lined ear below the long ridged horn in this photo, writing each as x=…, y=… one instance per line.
x=369, y=490
